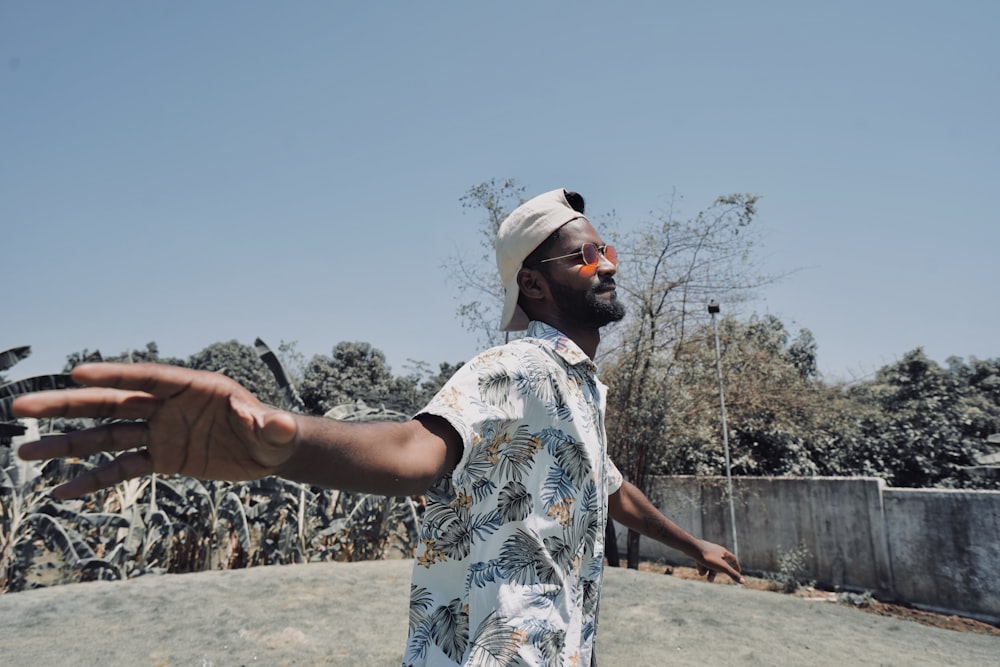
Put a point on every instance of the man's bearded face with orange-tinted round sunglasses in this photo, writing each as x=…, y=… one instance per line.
x=587, y=299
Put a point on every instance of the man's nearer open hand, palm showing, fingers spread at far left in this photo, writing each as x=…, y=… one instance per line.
x=175, y=421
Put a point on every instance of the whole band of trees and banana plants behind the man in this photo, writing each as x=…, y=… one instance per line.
x=914, y=423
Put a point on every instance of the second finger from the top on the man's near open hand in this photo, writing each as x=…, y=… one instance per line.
x=88, y=402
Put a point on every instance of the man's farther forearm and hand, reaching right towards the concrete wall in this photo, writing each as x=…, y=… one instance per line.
x=630, y=507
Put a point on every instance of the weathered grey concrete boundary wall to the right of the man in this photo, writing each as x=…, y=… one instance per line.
x=929, y=547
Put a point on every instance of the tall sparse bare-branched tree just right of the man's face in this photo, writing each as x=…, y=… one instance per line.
x=669, y=271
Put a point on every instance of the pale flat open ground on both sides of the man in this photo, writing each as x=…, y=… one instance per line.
x=355, y=614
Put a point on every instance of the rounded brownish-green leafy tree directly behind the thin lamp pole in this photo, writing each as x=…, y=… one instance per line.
x=777, y=408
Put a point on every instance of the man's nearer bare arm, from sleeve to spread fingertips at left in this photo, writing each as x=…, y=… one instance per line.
x=181, y=421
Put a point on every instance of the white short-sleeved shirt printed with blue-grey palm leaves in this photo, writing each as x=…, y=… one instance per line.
x=510, y=565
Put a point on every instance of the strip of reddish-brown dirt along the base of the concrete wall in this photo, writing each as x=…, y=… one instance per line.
x=869, y=605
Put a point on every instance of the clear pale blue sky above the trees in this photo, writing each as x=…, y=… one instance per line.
x=191, y=172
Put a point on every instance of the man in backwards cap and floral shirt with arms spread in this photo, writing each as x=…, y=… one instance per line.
x=511, y=454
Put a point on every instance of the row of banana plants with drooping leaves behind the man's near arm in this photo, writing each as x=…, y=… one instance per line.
x=158, y=524
